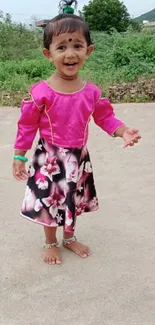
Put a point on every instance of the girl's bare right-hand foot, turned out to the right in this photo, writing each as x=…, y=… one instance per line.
x=78, y=248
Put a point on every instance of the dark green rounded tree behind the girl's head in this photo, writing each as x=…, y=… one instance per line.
x=104, y=15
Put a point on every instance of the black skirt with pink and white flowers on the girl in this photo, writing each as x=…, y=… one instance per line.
x=60, y=186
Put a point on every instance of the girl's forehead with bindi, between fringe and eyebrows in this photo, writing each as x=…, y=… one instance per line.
x=68, y=37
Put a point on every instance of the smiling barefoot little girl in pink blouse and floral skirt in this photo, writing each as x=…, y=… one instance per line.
x=60, y=179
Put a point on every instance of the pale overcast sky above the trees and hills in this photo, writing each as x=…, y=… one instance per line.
x=23, y=10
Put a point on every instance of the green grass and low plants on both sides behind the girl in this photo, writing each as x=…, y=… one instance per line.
x=117, y=59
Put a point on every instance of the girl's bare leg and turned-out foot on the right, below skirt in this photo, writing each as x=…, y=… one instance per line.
x=75, y=246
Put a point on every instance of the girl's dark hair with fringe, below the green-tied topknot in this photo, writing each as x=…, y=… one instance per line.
x=65, y=23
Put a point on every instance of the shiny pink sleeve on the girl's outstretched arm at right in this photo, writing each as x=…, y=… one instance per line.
x=105, y=118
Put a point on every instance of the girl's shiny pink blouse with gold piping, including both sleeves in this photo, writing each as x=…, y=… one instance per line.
x=62, y=119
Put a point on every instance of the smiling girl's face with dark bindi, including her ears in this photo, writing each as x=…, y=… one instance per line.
x=68, y=52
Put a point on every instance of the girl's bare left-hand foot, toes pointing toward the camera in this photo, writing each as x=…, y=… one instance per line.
x=52, y=256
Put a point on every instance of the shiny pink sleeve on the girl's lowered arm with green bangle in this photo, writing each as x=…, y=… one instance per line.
x=28, y=124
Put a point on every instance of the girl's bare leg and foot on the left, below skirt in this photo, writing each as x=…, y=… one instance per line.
x=51, y=255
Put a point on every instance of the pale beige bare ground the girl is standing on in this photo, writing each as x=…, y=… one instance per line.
x=116, y=285
